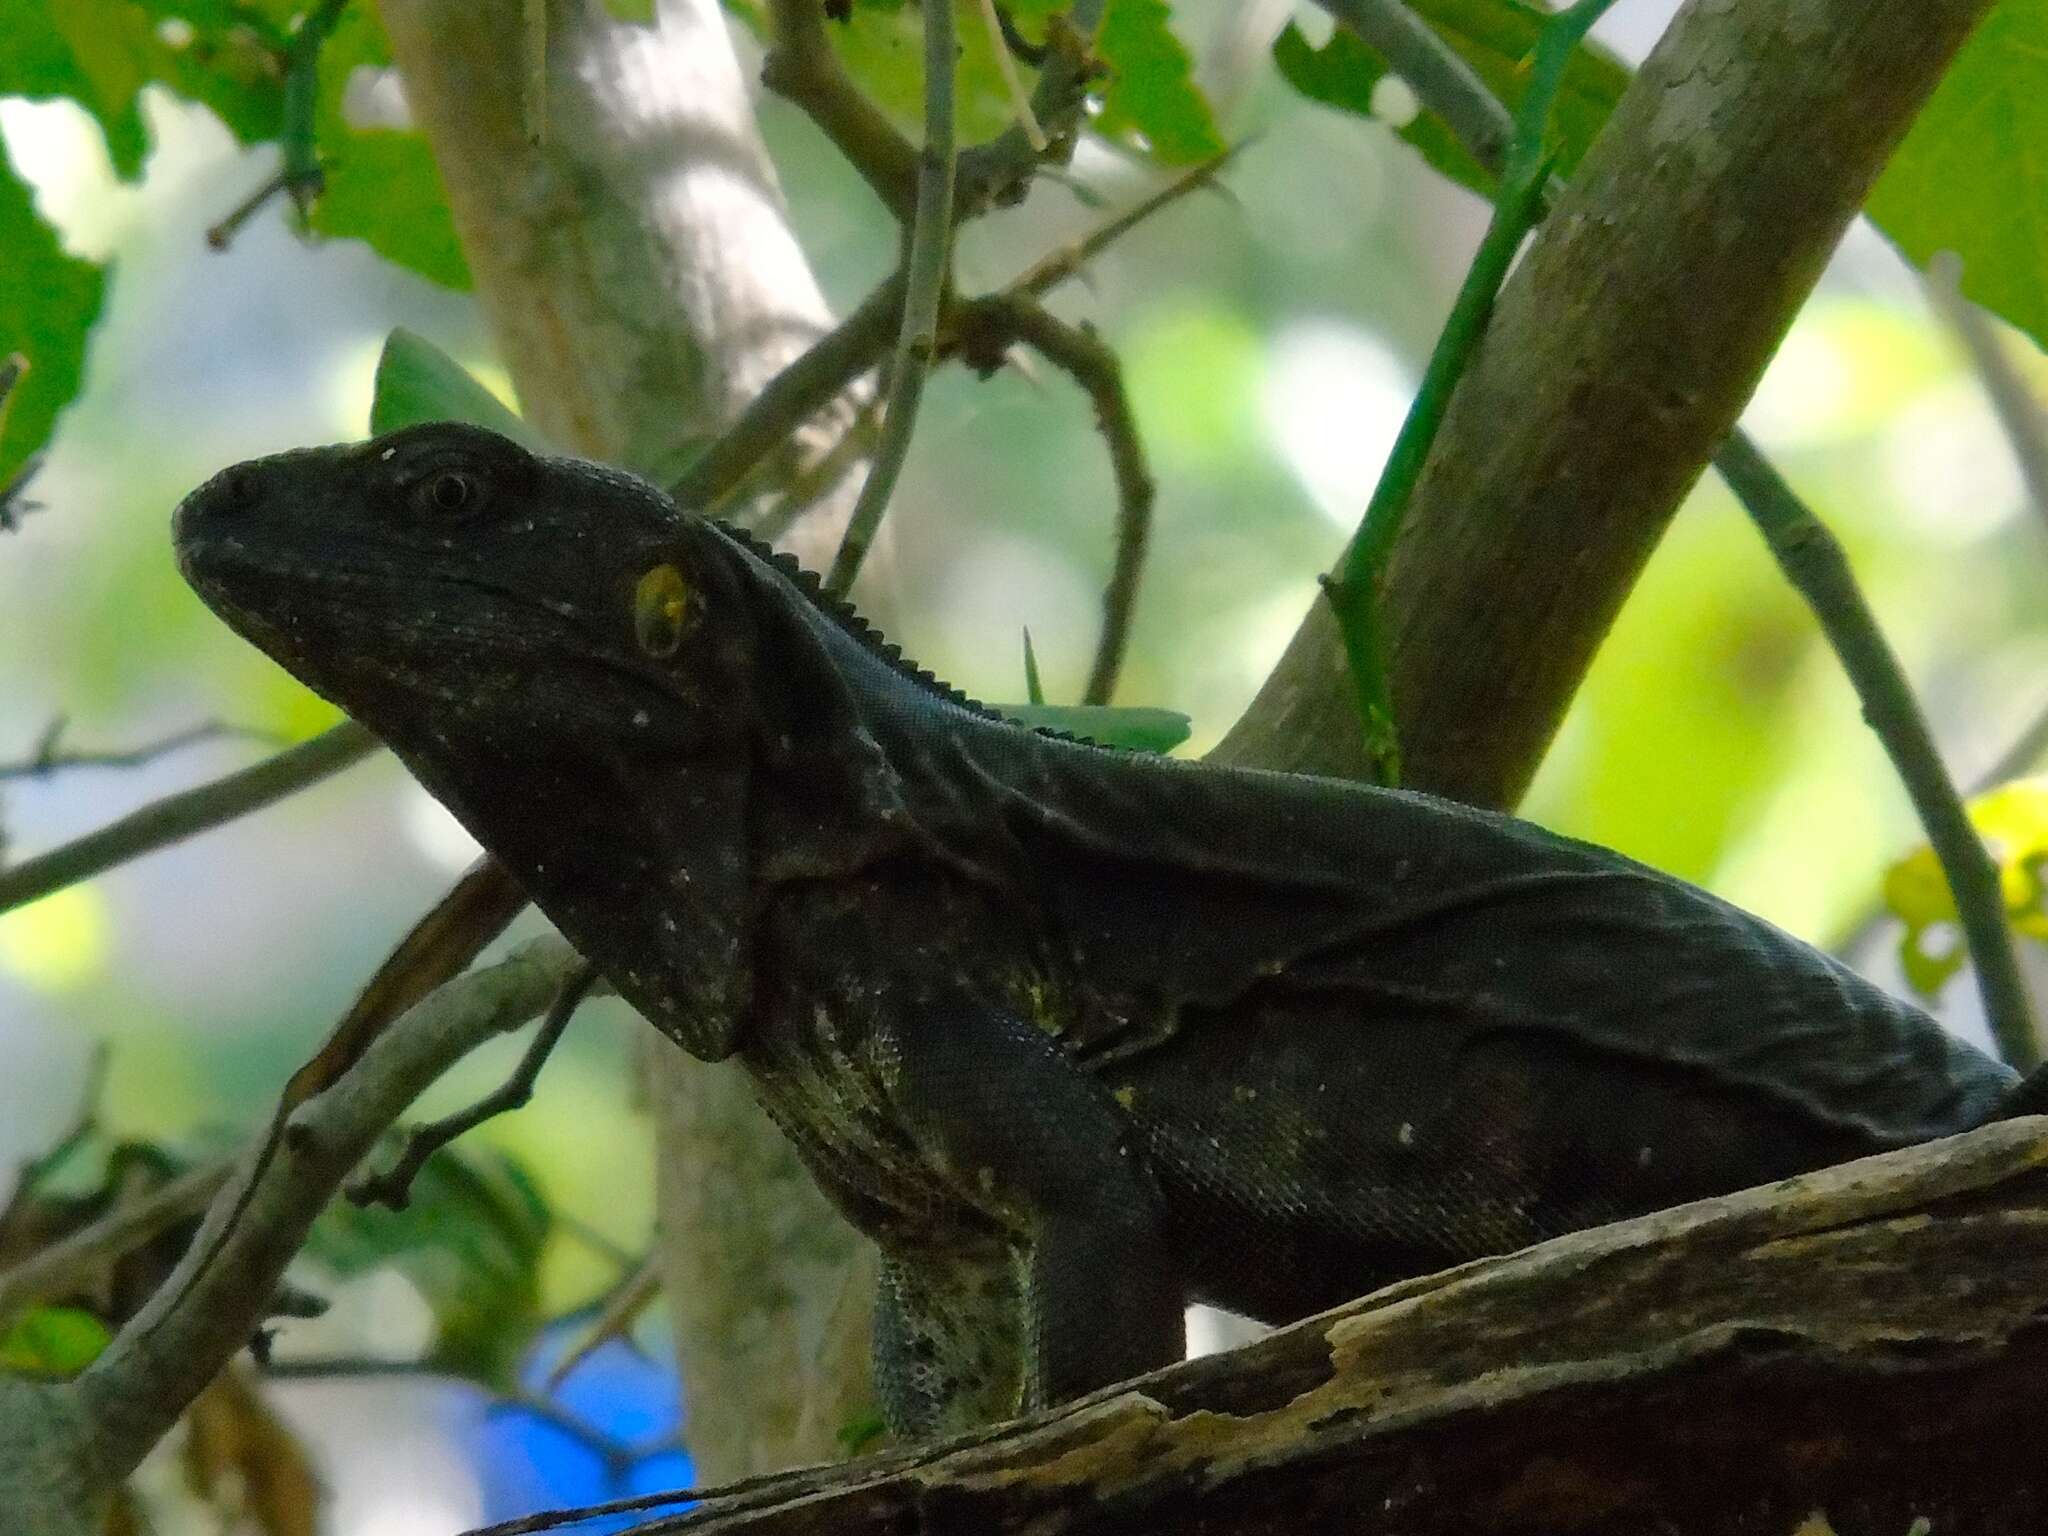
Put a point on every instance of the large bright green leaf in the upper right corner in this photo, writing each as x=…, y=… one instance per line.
x=1973, y=175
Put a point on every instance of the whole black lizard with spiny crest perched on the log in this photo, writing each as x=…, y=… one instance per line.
x=1074, y=1035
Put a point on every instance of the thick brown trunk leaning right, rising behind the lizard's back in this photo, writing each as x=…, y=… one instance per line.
x=1621, y=353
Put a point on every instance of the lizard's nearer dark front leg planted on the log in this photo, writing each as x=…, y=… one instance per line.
x=1027, y=1136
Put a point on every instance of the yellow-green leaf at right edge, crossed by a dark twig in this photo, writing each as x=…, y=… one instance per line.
x=2014, y=826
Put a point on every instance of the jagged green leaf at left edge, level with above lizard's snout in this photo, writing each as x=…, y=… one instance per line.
x=48, y=304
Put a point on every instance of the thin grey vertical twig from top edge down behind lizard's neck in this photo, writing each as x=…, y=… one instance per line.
x=925, y=284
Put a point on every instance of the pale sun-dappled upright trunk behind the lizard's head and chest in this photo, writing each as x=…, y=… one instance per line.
x=642, y=282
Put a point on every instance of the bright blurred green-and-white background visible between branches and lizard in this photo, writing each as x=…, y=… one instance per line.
x=1271, y=339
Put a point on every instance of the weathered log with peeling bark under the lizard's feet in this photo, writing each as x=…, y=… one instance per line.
x=1861, y=1347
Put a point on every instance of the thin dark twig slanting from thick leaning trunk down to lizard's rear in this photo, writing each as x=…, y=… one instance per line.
x=1814, y=562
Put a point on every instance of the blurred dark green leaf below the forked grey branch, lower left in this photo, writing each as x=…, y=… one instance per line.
x=470, y=1242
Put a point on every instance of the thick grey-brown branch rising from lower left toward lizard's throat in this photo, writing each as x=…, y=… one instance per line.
x=191, y=1326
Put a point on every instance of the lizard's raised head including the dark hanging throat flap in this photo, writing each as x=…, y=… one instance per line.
x=558, y=654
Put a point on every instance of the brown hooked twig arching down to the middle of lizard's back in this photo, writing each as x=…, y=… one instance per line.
x=992, y=325
